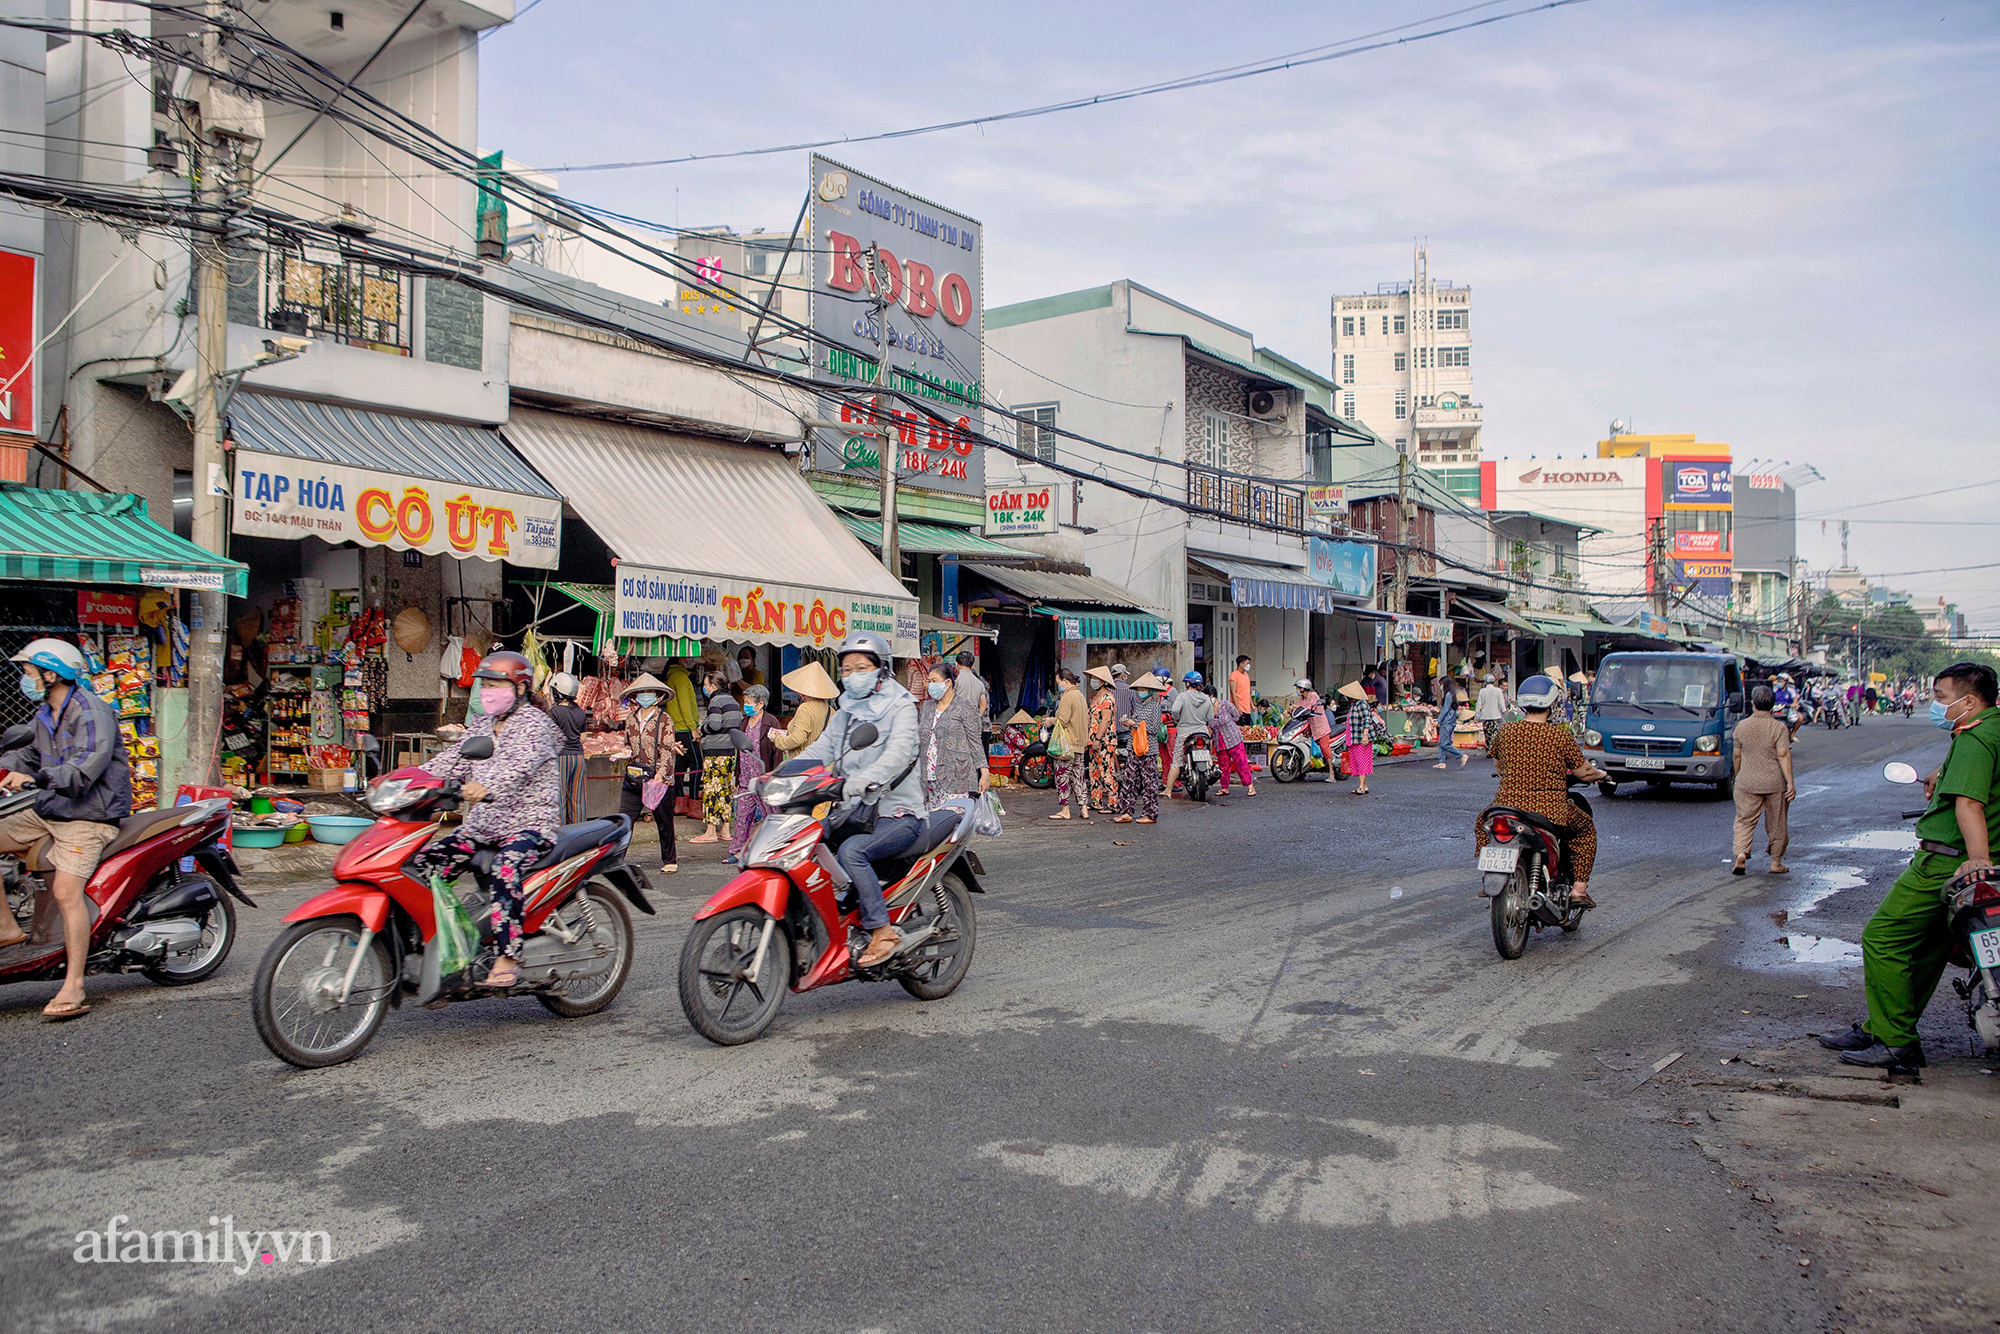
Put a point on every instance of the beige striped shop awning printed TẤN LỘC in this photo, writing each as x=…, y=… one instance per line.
x=715, y=541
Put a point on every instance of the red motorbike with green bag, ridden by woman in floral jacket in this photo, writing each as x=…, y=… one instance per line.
x=359, y=949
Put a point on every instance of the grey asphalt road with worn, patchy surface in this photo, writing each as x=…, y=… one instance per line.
x=1257, y=1067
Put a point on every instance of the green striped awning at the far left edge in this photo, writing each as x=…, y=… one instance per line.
x=67, y=537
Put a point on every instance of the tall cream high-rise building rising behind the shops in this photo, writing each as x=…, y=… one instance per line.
x=1403, y=361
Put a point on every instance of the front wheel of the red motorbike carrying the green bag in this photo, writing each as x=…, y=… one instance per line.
x=295, y=987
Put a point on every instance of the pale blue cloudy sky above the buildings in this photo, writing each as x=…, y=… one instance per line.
x=1769, y=225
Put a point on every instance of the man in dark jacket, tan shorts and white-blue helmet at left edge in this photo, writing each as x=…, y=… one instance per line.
x=85, y=789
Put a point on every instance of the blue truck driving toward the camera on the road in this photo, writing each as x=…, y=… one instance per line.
x=1665, y=717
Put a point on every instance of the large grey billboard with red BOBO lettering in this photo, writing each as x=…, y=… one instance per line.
x=933, y=337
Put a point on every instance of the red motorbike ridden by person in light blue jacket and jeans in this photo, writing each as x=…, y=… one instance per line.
x=791, y=919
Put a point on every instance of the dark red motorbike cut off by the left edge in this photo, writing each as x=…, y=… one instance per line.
x=149, y=913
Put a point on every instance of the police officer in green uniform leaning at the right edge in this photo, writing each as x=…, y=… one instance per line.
x=1909, y=941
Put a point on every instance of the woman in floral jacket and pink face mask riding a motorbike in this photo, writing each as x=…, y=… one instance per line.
x=513, y=801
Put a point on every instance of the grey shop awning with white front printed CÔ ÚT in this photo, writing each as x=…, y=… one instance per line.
x=387, y=479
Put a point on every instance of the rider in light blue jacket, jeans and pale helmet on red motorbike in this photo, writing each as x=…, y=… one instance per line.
x=883, y=773
